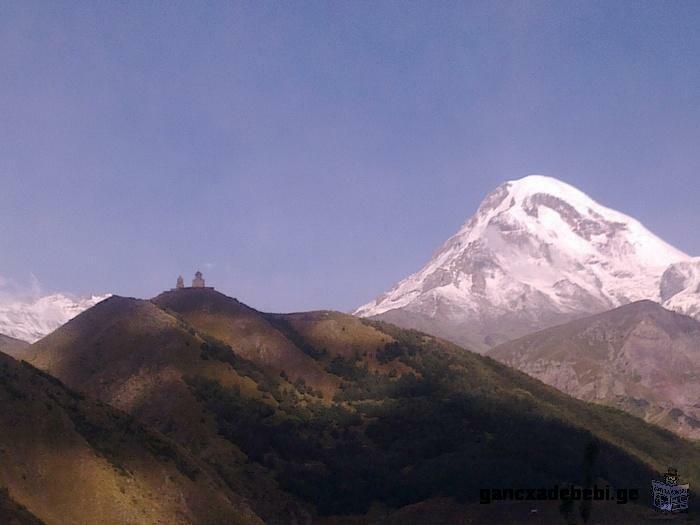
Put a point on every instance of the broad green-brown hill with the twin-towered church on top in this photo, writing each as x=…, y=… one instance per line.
x=373, y=420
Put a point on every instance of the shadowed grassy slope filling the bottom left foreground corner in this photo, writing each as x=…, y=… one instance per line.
x=69, y=460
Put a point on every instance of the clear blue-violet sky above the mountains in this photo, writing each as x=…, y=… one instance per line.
x=309, y=154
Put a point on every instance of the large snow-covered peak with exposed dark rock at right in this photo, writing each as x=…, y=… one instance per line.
x=536, y=253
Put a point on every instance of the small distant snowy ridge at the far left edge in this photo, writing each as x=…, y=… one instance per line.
x=31, y=320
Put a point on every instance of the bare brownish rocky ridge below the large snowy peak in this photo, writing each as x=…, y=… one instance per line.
x=640, y=358
